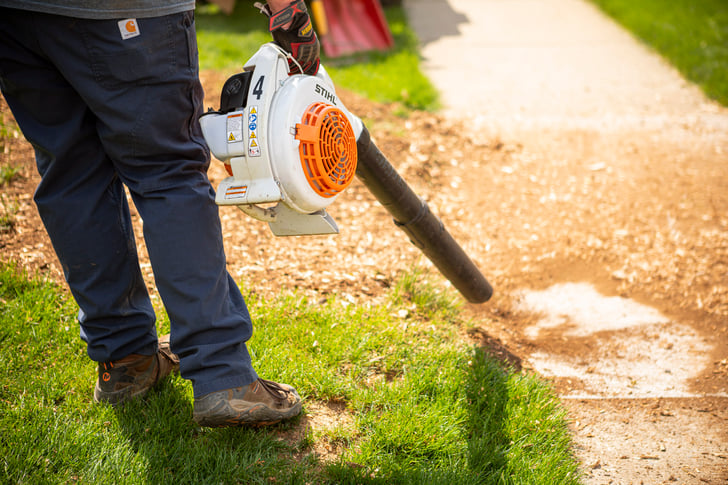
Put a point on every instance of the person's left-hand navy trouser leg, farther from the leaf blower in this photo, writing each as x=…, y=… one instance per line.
x=80, y=198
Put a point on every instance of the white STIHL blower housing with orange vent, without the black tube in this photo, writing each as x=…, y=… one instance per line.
x=284, y=139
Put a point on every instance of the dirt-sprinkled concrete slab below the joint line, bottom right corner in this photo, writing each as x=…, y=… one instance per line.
x=651, y=440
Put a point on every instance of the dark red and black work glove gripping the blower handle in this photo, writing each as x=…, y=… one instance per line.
x=299, y=38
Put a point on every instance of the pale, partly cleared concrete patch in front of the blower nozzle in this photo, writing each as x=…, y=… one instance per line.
x=627, y=349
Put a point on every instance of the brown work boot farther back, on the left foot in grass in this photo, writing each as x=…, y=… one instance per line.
x=134, y=375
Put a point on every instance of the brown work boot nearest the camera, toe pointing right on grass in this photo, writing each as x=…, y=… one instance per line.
x=259, y=404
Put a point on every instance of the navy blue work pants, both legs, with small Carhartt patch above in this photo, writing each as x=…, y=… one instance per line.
x=103, y=112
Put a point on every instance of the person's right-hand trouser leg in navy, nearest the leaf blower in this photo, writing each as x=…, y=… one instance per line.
x=146, y=98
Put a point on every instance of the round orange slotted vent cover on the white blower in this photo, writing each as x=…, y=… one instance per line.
x=328, y=149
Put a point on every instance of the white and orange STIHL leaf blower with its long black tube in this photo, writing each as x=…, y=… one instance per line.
x=288, y=140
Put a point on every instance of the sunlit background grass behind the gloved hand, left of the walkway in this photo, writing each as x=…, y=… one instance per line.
x=226, y=43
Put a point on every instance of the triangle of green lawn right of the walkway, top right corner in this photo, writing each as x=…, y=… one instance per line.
x=692, y=35
